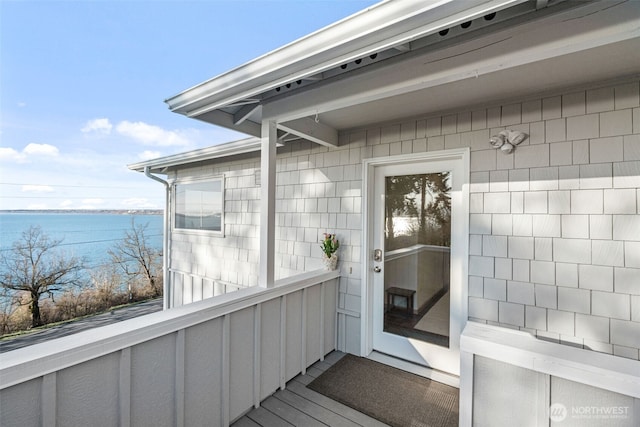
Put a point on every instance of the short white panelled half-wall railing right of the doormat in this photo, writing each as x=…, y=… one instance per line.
x=518, y=363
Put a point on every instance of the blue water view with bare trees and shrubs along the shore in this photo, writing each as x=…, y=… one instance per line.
x=107, y=259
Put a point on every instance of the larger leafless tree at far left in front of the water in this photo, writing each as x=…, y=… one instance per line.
x=35, y=267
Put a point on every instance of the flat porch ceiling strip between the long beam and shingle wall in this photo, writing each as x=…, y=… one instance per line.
x=513, y=85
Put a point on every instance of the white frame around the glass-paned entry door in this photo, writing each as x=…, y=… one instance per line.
x=462, y=259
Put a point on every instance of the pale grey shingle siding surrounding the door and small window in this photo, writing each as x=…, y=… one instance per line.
x=554, y=226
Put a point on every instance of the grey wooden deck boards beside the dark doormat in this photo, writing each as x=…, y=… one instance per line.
x=297, y=405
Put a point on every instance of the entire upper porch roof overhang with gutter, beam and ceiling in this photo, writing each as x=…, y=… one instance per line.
x=408, y=58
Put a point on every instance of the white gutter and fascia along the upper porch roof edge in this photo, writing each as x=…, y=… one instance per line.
x=380, y=27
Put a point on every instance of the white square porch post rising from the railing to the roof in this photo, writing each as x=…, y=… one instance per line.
x=268, y=205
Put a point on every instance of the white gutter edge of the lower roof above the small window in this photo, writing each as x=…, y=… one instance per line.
x=217, y=151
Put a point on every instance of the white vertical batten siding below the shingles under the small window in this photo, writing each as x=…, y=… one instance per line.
x=188, y=287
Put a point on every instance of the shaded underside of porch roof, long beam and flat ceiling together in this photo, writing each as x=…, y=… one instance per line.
x=579, y=47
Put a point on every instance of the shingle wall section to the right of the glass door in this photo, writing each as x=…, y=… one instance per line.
x=570, y=271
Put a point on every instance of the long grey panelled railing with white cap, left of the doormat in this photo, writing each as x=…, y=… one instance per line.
x=205, y=363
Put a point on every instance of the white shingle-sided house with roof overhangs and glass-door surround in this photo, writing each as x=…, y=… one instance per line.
x=544, y=272
